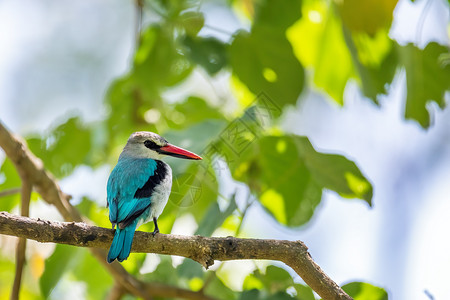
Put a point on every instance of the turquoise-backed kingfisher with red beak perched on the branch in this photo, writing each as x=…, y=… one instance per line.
x=138, y=188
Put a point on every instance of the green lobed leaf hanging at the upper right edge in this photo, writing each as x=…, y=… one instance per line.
x=427, y=79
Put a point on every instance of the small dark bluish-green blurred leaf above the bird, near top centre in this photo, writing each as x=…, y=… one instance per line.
x=210, y=53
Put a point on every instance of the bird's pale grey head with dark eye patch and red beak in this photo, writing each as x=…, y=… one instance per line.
x=145, y=144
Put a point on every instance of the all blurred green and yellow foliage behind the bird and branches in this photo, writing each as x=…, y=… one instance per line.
x=289, y=45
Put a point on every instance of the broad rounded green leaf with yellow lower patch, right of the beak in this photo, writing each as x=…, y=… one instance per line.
x=288, y=189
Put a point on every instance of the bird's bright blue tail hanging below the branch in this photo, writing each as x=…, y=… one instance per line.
x=121, y=244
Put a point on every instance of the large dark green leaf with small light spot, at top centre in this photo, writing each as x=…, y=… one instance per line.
x=263, y=59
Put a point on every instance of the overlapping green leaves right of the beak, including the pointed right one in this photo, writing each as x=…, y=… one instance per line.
x=289, y=175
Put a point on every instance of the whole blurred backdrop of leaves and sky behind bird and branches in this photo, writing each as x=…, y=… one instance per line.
x=366, y=81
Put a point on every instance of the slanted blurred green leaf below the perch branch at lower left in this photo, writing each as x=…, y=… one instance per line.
x=55, y=267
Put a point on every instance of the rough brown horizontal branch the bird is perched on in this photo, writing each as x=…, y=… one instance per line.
x=201, y=249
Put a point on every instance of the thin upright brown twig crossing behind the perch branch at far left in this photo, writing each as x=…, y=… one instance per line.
x=22, y=243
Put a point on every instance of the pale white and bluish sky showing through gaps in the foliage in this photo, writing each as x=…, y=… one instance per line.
x=401, y=244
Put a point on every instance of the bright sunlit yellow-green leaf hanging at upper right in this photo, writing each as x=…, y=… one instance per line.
x=337, y=54
